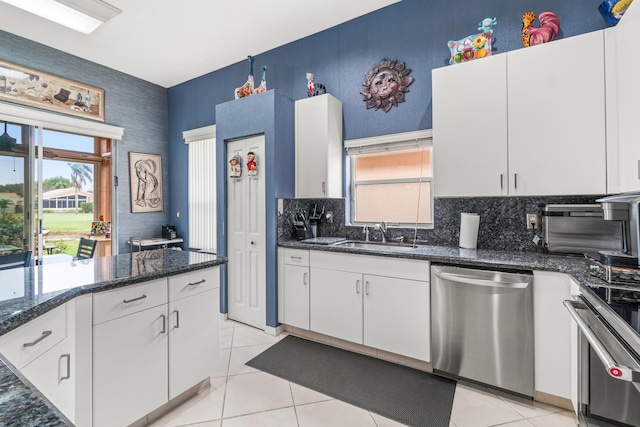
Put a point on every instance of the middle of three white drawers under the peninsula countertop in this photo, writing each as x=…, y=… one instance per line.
x=120, y=302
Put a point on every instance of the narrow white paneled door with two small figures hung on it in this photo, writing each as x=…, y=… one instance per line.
x=246, y=234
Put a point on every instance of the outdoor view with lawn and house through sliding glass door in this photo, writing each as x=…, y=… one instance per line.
x=68, y=196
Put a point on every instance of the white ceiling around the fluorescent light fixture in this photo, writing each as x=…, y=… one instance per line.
x=168, y=42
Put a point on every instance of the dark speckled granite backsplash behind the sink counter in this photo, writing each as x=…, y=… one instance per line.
x=502, y=221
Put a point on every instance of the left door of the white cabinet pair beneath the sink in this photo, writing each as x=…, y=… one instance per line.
x=336, y=304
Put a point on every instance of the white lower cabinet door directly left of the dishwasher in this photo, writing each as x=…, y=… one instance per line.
x=397, y=316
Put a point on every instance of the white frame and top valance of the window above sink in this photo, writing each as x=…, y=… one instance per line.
x=388, y=143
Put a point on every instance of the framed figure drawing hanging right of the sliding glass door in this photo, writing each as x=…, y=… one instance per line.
x=145, y=177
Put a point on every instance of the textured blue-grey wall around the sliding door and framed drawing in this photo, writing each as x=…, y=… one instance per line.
x=138, y=106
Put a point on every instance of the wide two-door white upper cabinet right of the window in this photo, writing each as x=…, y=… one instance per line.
x=528, y=122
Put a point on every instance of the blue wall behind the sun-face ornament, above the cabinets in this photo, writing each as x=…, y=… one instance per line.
x=413, y=31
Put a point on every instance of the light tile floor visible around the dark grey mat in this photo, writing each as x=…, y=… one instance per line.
x=240, y=396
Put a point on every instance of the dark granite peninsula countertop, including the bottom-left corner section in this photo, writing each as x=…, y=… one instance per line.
x=27, y=293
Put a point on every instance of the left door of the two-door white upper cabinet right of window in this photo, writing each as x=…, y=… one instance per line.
x=470, y=128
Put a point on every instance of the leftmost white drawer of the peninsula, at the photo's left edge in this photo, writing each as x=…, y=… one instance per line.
x=24, y=344
